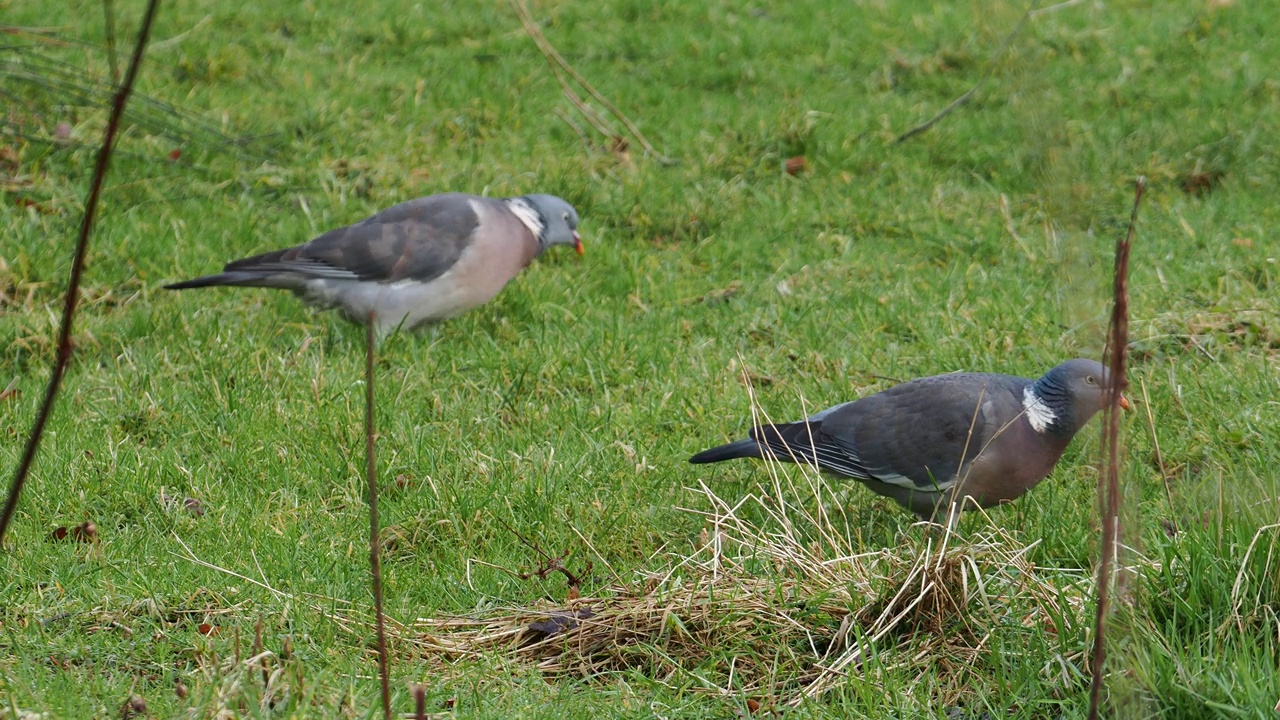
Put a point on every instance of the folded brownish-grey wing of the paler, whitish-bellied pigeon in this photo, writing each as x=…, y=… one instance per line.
x=419, y=240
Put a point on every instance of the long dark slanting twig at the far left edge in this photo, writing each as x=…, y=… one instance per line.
x=65, y=336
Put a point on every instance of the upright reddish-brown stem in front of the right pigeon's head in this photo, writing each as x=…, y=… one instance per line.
x=1109, y=480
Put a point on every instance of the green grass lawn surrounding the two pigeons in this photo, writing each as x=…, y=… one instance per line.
x=570, y=404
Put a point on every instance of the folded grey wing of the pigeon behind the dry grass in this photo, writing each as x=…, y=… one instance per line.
x=918, y=435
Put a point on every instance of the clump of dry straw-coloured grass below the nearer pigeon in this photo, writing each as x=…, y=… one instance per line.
x=774, y=603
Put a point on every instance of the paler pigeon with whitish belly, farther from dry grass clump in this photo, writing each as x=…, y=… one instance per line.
x=419, y=262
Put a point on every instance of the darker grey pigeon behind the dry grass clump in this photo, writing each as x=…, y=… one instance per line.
x=934, y=441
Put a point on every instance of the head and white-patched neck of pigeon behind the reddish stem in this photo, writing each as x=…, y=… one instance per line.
x=1064, y=399
